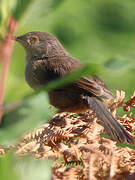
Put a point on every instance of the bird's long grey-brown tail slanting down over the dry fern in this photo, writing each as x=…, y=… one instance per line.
x=113, y=128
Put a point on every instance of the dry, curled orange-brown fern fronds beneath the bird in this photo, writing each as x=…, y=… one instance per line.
x=79, y=150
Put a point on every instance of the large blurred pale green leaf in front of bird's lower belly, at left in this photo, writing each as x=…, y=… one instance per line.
x=34, y=112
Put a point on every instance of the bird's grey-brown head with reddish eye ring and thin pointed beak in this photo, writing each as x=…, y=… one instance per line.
x=40, y=45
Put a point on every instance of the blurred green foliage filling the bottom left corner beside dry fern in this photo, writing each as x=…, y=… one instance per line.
x=24, y=168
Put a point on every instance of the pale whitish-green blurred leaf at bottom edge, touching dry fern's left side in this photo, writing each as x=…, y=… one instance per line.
x=29, y=168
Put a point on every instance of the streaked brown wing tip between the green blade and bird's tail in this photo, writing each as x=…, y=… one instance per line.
x=93, y=86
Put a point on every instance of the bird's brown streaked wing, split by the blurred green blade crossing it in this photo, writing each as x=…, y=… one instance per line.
x=57, y=68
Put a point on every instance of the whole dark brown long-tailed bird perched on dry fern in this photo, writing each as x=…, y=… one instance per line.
x=47, y=60
